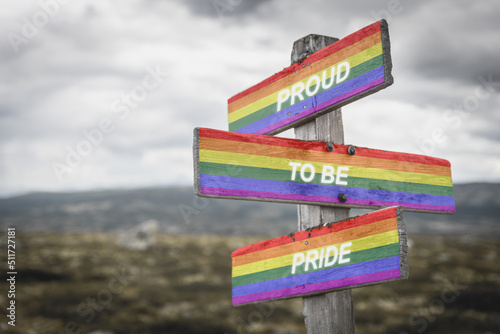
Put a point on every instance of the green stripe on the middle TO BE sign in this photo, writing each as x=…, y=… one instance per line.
x=210, y=168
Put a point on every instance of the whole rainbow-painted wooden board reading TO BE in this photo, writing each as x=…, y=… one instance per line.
x=264, y=168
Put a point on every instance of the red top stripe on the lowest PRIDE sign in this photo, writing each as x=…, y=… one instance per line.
x=302, y=235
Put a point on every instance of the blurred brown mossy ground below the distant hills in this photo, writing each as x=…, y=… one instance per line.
x=88, y=283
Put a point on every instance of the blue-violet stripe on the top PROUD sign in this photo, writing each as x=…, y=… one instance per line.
x=317, y=102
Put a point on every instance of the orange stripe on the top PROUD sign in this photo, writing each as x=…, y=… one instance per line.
x=345, y=53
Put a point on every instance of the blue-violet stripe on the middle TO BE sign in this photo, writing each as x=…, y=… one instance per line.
x=323, y=190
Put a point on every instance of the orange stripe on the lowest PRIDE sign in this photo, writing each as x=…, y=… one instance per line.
x=316, y=242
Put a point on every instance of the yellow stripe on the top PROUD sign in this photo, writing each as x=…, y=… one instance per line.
x=355, y=60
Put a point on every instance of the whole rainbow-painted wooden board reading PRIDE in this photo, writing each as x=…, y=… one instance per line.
x=360, y=251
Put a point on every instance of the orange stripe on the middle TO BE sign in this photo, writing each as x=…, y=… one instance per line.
x=317, y=156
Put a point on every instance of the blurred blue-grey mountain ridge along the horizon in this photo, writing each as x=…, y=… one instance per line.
x=178, y=210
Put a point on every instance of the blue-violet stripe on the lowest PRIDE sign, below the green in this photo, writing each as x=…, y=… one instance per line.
x=356, y=269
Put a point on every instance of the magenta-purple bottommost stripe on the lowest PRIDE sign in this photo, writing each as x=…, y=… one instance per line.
x=322, y=286
